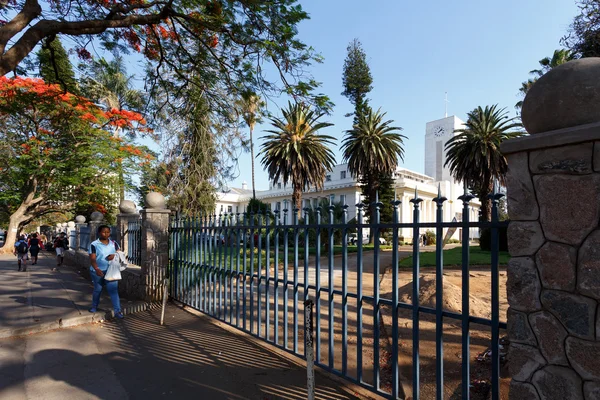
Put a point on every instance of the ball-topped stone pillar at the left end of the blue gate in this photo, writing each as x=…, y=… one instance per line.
x=155, y=244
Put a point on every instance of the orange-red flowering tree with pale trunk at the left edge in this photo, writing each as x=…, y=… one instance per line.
x=57, y=151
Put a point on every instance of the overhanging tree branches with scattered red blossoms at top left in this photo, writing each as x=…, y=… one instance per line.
x=225, y=45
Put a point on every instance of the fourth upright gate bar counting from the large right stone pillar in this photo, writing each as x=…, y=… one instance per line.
x=415, y=298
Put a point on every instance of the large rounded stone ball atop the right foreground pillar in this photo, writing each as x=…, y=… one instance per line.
x=565, y=97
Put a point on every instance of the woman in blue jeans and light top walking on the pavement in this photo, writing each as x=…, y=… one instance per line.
x=102, y=250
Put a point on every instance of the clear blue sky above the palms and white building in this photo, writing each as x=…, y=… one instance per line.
x=477, y=51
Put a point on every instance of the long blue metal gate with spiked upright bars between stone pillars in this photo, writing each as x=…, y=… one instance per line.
x=254, y=271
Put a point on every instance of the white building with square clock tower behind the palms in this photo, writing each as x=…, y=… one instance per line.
x=341, y=186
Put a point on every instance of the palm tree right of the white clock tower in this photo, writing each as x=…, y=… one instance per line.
x=474, y=154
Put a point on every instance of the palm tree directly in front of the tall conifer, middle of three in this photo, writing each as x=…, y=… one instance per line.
x=372, y=149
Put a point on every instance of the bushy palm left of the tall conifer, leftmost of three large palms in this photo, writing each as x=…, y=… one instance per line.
x=296, y=152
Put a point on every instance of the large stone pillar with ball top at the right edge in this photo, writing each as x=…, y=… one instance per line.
x=553, y=190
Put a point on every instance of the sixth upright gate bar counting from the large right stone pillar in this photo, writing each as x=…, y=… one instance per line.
x=376, y=313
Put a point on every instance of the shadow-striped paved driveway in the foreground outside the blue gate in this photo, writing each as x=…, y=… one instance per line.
x=190, y=357
